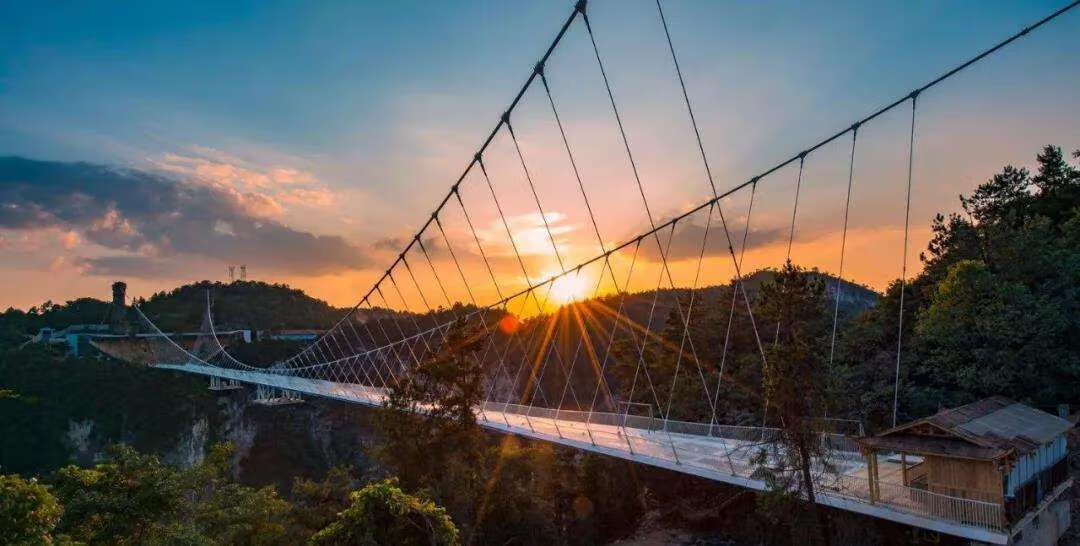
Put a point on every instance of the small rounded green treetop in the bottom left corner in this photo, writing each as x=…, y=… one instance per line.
x=29, y=512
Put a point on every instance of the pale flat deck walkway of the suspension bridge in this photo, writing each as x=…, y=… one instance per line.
x=718, y=453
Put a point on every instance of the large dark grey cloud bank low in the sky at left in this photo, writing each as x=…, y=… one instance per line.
x=151, y=214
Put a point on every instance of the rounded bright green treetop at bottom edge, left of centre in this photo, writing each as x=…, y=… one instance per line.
x=383, y=514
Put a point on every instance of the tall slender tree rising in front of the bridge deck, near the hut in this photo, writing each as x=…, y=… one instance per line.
x=795, y=385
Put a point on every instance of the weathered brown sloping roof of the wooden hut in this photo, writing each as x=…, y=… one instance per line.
x=988, y=429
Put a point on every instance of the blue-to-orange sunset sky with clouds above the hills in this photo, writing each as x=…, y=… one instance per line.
x=157, y=143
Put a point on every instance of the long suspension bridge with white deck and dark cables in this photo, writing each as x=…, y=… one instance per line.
x=610, y=352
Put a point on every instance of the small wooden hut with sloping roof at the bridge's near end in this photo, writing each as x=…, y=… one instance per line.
x=993, y=452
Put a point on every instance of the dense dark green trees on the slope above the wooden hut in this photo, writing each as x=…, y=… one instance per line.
x=997, y=309
